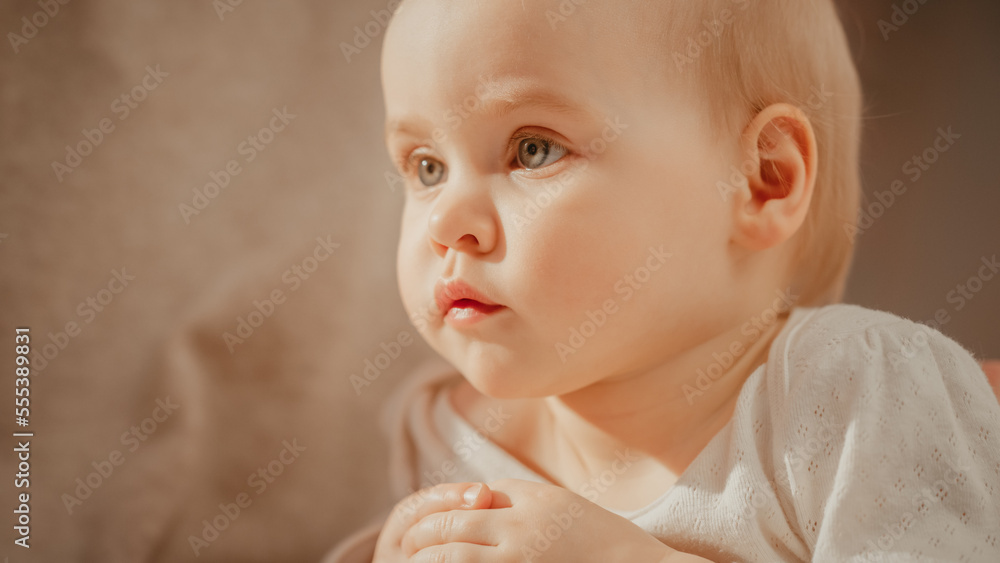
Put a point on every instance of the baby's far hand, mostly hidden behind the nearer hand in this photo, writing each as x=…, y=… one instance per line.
x=441, y=498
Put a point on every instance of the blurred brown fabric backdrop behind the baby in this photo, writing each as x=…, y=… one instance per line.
x=168, y=95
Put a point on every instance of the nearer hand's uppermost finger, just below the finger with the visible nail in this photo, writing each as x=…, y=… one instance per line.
x=456, y=526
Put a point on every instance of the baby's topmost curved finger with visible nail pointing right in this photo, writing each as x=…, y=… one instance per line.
x=440, y=498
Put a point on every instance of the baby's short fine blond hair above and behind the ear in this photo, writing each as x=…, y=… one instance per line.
x=764, y=52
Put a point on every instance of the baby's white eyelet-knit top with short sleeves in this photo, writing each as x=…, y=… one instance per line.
x=865, y=437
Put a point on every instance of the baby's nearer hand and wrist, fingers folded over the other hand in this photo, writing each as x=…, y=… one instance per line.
x=534, y=522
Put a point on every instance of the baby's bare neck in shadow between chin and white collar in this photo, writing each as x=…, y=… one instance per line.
x=652, y=413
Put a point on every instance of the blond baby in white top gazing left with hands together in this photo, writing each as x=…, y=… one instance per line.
x=628, y=225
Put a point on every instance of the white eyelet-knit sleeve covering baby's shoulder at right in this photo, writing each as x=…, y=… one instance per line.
x=869, y=420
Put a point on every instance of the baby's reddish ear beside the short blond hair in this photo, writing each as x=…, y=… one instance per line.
x=780, y=151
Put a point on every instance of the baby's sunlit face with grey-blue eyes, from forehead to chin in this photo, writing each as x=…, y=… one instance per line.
x=567, y=175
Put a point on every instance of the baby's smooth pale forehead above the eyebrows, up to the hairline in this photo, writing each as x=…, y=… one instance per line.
x=443, y=48
